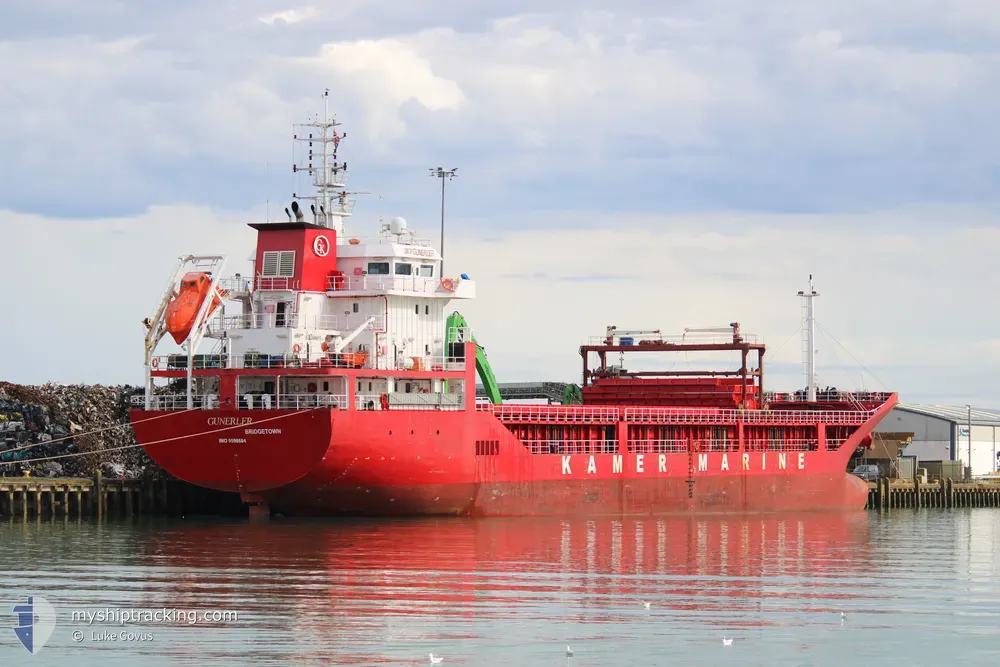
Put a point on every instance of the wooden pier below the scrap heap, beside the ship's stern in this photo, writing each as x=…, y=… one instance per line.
x=102, y=497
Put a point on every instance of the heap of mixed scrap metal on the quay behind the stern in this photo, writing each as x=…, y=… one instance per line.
x=69, y=419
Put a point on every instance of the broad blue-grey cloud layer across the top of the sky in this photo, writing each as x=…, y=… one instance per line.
x=696, y=106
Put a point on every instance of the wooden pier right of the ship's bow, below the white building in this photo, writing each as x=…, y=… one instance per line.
x=886, y=494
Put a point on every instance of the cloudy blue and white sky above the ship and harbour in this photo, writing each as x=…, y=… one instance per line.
x=646, y=164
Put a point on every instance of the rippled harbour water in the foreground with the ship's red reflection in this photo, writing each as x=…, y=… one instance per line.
x=518, y=591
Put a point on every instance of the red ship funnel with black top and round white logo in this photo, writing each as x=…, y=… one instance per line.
x=315, y=250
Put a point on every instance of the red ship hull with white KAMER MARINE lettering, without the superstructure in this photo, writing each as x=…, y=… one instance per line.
x=410, y=462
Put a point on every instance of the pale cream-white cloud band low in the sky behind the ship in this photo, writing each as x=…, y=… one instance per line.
x=898, y=308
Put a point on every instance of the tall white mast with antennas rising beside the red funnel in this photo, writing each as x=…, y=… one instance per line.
x=331, y=203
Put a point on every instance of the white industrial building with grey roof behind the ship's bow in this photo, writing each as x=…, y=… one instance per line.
x=942, y=433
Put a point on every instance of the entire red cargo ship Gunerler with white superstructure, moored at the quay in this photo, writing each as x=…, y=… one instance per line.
x=343, y=388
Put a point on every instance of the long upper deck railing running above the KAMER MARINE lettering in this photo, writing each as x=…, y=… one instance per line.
x=597, y=414
